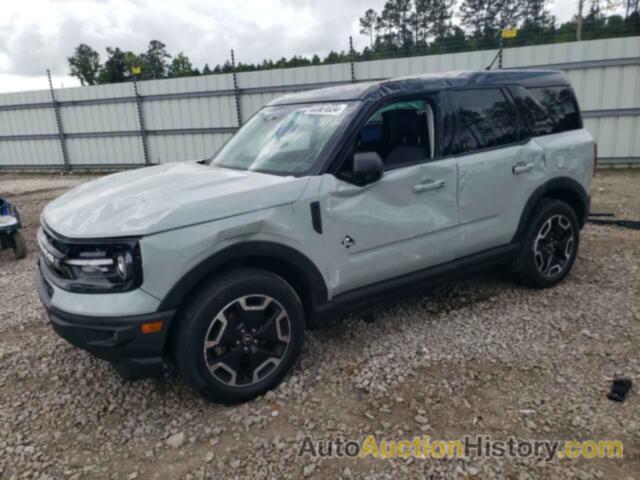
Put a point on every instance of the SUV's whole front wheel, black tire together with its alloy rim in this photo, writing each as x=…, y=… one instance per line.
x=227, y=297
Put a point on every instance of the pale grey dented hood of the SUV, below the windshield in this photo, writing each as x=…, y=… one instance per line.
x=154, y=199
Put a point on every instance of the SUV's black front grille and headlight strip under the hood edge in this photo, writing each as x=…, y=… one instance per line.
x=92, y=267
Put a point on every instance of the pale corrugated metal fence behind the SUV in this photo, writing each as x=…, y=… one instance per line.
x=158, y=121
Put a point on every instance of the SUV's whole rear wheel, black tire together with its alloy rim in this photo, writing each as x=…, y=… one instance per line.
x=530, y=266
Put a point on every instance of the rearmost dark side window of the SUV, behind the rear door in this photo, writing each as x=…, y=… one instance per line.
x=559, y=103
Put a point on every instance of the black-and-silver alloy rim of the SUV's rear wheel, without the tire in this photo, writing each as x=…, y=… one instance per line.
x=554, y=245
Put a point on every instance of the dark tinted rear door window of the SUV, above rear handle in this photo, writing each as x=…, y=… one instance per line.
x=484, y=118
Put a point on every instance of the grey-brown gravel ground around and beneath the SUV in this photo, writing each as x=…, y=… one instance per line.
x=480, y=356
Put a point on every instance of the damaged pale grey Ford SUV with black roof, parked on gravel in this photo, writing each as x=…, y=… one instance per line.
x=323, y=201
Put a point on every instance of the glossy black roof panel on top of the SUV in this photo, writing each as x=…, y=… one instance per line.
x=421, y=83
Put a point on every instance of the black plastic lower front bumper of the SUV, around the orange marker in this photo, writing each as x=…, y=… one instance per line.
x=119, y=340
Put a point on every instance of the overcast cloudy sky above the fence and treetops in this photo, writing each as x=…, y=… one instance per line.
x=40, y=34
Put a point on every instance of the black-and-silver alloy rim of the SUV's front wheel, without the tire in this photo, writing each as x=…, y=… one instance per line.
x=247, y=340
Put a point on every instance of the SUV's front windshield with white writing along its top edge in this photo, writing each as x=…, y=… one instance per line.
x=284, y=140
